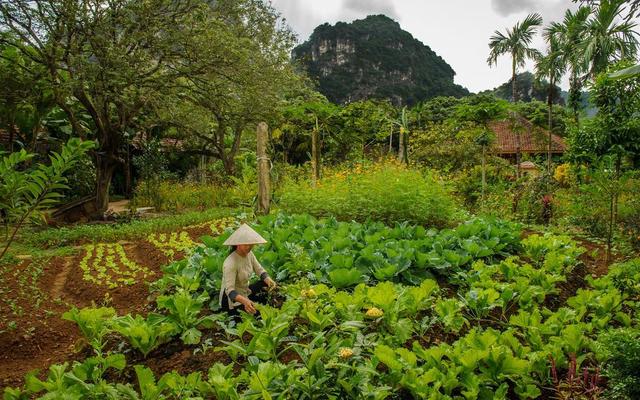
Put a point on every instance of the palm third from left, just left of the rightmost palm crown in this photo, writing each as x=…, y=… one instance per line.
x=570, y=34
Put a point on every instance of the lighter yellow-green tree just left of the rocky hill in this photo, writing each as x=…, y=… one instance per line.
x=215, y=109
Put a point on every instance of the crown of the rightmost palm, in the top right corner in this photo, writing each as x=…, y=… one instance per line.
x=610, y=37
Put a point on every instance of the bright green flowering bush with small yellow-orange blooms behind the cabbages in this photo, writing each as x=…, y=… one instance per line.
x=385, y=192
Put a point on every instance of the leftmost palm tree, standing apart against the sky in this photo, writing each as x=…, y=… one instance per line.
x=517, y=43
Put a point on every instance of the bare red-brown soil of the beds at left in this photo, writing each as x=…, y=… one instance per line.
x=41, y=337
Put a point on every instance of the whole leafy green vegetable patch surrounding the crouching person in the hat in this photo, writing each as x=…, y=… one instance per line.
x=365, y=310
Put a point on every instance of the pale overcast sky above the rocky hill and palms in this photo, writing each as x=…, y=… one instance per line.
x=457, y=30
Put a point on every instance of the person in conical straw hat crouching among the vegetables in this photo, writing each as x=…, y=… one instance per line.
x=235, y=291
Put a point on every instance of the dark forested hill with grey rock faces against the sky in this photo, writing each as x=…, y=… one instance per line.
x=374, y=58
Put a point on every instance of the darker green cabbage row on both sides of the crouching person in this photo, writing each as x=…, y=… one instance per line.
x=346, y=254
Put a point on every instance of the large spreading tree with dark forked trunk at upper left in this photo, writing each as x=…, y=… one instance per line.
x=121, y=59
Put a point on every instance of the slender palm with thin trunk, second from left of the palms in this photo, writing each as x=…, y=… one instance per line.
x=551, y=66
